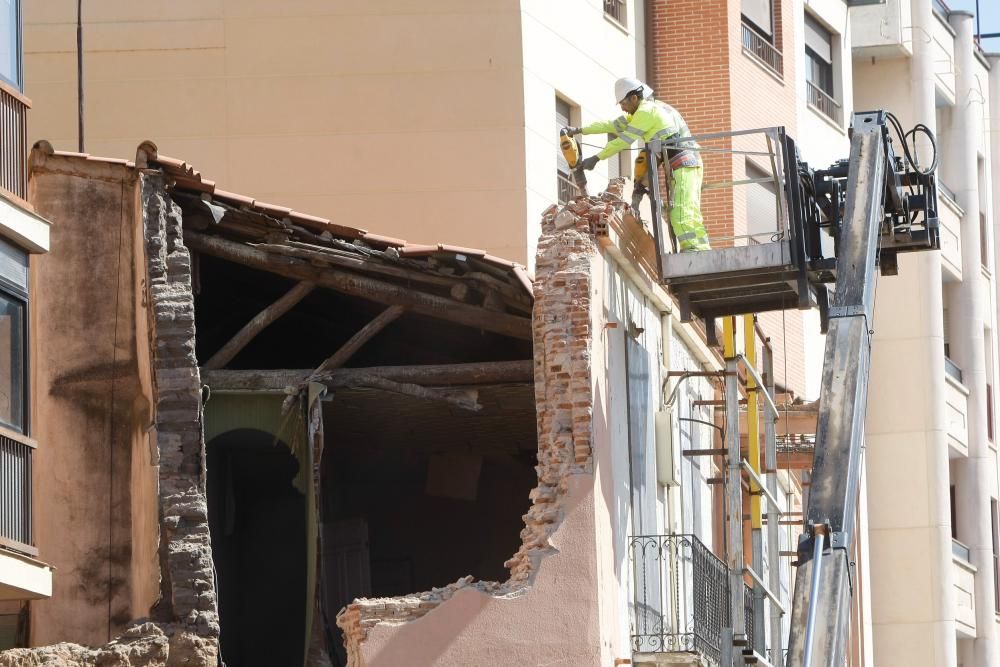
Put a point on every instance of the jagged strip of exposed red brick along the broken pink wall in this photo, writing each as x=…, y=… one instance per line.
x=563, y=338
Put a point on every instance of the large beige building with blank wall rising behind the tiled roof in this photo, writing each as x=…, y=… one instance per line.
x=427, y=121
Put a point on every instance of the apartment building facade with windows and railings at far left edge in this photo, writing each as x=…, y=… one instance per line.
x=23, y=236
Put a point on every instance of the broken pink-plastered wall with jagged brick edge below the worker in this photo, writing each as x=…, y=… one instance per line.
x=562, y=602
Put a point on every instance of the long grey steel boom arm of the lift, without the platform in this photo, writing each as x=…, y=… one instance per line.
x=876, y=198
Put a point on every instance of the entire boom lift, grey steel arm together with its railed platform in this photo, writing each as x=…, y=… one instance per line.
x=875, y=205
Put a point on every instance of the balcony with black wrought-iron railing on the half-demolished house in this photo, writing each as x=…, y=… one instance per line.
x=680, y=600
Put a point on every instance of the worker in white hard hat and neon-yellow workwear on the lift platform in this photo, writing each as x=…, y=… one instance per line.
x=647, y=119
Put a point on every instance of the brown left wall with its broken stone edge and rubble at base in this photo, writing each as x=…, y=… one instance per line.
x=120, y=242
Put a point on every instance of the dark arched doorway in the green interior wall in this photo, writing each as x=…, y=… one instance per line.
x=258, y=524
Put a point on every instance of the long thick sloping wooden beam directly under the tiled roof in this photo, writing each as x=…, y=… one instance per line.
x=364, y=287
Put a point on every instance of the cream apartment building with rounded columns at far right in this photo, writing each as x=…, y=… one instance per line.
x=932, y=464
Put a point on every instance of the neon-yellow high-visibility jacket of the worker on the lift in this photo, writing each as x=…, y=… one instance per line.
x=652, y=120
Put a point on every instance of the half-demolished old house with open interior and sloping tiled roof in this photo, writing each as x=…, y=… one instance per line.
x=294, y=442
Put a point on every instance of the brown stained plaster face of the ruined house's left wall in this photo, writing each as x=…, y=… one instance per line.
x=95, y=484
